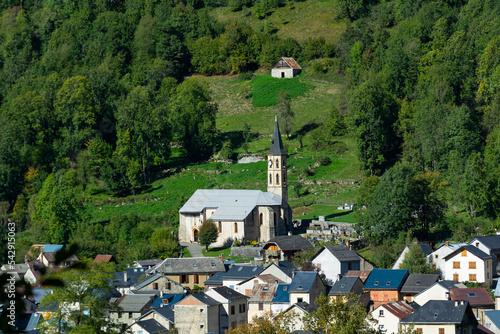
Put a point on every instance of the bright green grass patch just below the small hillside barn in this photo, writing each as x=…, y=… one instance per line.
x=266, y=88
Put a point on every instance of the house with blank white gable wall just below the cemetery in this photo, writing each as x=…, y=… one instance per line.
x=334, y=261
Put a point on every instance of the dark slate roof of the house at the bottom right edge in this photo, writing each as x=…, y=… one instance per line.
x=441, y=312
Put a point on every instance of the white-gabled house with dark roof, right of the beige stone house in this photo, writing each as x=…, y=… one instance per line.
x=233, y=307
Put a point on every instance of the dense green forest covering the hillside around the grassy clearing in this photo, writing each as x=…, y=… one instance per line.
x=95, y=92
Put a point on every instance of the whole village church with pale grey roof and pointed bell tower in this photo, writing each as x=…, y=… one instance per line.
x=244, y=215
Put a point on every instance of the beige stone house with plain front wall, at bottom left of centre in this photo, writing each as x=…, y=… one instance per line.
x=197, y=314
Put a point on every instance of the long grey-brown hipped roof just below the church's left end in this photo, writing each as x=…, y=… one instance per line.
x=190, y=265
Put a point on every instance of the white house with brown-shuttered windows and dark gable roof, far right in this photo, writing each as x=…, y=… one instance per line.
x=469, y=264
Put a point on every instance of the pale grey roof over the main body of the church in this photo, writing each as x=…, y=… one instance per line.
x=231, y=204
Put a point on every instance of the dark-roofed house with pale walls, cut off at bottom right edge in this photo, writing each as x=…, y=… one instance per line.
x=442, y=317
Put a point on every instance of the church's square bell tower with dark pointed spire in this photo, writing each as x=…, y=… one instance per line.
x=277, y=182
